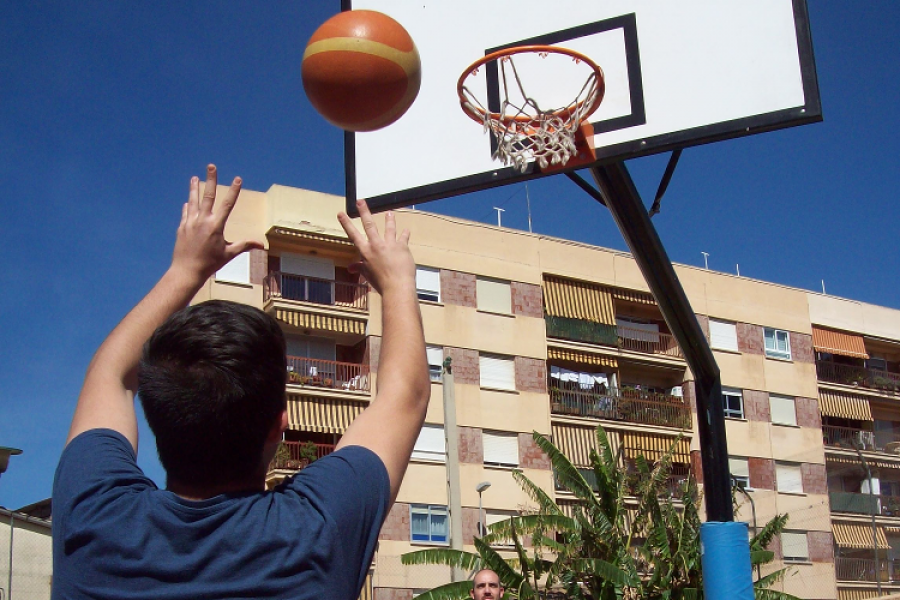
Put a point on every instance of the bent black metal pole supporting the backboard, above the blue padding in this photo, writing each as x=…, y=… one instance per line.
x=625, y=204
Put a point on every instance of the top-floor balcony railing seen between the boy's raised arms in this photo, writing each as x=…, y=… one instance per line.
x=318, y=291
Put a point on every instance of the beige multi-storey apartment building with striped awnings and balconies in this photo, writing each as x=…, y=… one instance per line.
x=555, y=336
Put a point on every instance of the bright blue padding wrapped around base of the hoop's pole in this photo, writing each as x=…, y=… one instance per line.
x=725, y=557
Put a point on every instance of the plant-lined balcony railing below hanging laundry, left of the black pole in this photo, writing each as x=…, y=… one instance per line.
x=633, y=406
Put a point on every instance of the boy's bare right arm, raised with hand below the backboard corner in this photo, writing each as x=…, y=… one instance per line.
x=390, y=425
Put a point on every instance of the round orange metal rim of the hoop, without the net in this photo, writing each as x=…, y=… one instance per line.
x=479, y=115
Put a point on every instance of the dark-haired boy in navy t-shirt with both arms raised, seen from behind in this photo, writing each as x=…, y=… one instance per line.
x=211, y=378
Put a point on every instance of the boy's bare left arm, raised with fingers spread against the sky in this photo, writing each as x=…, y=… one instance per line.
x=107, y=396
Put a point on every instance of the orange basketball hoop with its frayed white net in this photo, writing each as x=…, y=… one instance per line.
x=524, y=131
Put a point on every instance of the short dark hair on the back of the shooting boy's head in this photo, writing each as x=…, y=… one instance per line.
x=212, y=384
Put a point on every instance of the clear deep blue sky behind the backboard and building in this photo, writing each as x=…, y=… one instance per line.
x=107, y=109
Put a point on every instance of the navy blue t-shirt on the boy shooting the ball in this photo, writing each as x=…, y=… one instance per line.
x=116, y=535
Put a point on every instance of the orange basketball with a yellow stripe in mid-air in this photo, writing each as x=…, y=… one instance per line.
x=361, y=70
